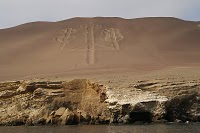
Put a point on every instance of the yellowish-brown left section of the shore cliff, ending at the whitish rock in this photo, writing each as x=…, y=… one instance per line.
x=49, y=102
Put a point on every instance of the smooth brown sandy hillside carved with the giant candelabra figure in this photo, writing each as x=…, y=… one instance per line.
x=82, y=44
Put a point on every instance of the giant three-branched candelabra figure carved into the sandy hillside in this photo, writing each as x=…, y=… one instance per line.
x=111, y=35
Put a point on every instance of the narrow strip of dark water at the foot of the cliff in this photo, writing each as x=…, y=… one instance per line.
x=150, y=128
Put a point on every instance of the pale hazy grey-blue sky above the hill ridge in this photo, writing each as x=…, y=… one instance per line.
x=15, y=12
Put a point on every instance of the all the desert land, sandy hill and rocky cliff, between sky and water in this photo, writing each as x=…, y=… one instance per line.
x=100, y=71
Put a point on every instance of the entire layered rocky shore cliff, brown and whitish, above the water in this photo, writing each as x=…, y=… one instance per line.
x=81, y=101
